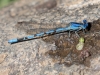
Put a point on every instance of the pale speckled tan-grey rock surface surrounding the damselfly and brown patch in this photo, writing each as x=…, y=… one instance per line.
x=31, y=16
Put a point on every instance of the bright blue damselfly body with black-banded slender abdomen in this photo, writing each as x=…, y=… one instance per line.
x=73, y=26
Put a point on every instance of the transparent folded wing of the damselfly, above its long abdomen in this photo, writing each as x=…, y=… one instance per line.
x=33, y=28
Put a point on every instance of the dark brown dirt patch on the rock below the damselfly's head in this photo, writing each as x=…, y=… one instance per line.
x=66, y=46
